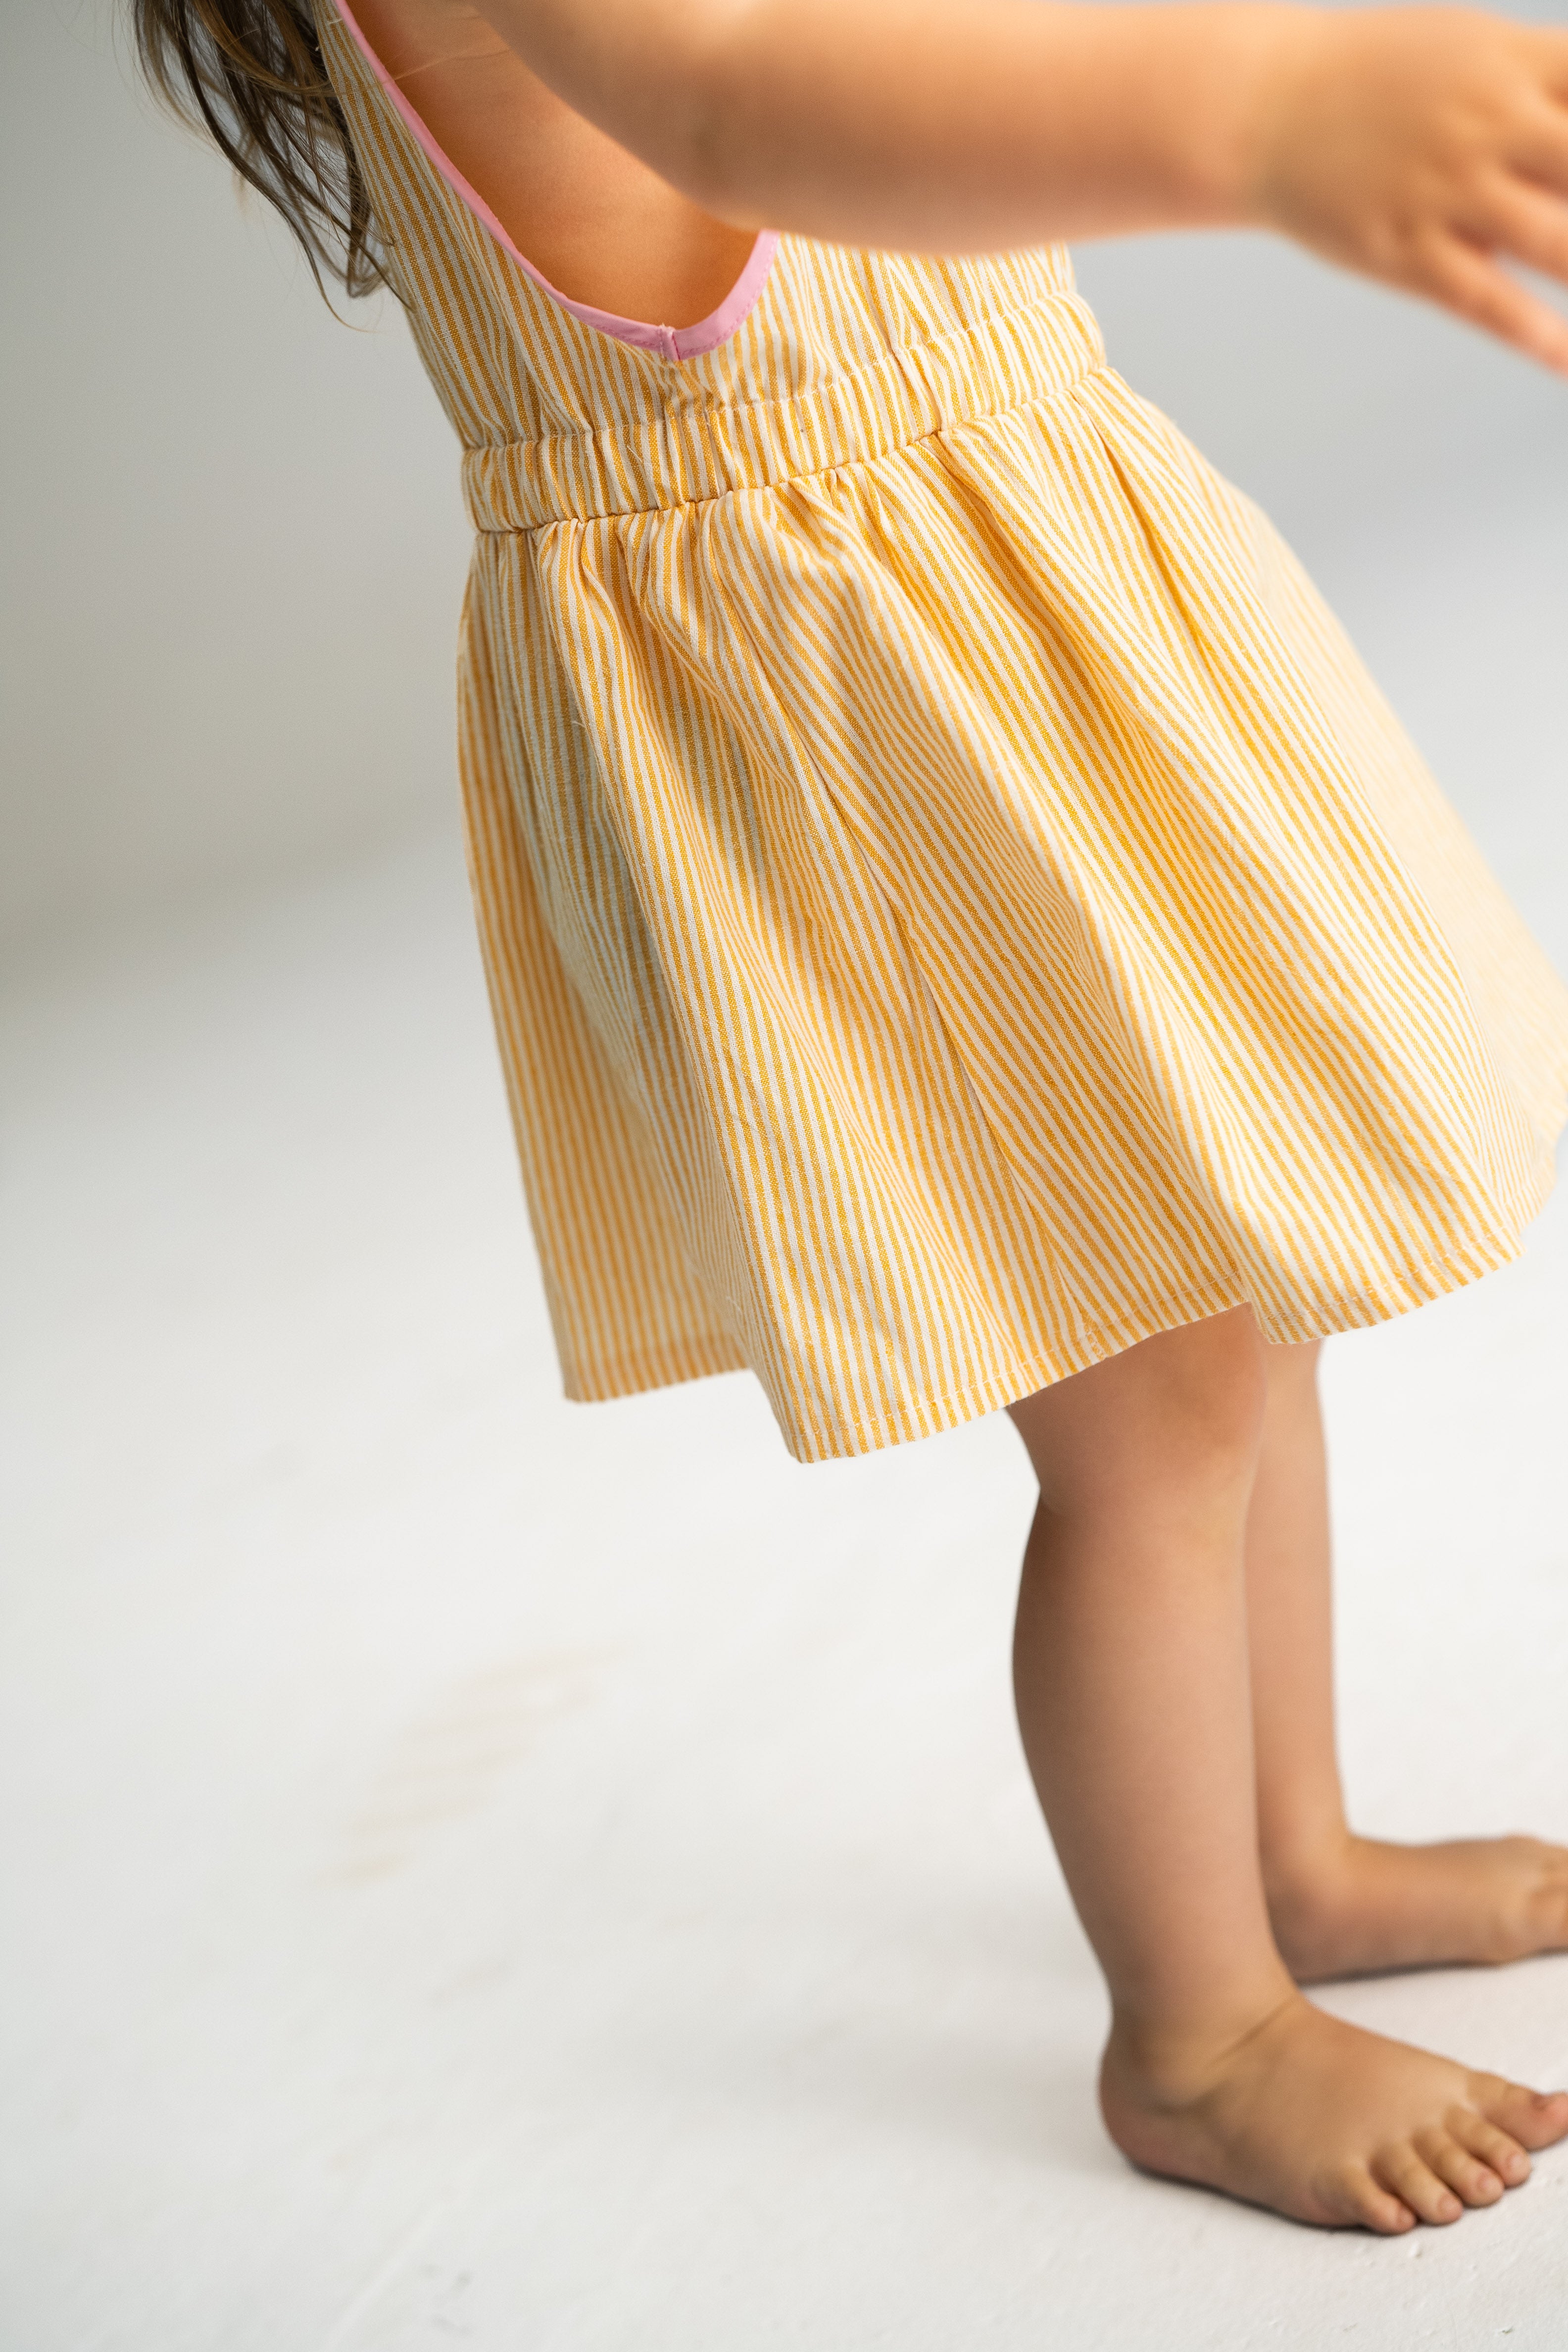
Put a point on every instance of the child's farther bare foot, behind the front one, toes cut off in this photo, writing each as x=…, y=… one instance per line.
x=1374, y=1906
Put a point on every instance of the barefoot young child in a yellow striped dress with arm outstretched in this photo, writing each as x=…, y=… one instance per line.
x=963, y=928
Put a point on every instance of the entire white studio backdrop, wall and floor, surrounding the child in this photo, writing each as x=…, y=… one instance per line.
x=556, y=1876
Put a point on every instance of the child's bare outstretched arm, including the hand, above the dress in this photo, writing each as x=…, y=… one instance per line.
x=1416, y=145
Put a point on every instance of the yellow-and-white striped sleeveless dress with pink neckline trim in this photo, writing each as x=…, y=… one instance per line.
x=953, y=900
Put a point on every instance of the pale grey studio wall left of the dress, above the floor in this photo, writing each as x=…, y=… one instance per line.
x=234, y=544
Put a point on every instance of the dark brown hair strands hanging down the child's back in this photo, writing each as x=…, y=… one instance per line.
x=253, y=74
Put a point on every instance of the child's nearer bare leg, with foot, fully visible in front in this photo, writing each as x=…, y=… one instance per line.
x=1134, y=1702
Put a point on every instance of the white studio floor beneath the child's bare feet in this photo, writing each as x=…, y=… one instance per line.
x=563, y=1878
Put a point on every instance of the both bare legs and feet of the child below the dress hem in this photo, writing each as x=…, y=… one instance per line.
x=1177, y=1706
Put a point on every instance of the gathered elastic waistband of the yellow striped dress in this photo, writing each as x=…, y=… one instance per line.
x=690, y=455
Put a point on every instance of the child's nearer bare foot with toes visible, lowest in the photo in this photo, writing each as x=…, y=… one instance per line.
x=1329, y=2125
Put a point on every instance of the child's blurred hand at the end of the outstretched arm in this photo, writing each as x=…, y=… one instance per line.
x=1426, y=147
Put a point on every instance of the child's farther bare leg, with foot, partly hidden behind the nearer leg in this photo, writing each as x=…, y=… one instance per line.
x=1341, y=1902
